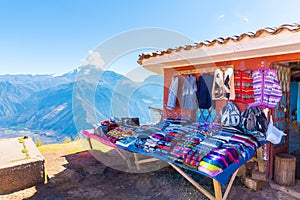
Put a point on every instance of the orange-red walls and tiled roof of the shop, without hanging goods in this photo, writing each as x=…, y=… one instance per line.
x=277, y=48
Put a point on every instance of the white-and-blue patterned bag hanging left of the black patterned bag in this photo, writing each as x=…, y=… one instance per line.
x=230, y=115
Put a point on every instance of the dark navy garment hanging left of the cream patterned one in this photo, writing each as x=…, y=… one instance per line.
x=204, y=91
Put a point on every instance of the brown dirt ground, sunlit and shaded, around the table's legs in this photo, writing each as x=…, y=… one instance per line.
x=81, y=176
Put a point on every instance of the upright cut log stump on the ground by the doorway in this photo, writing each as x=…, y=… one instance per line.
x=284, y=169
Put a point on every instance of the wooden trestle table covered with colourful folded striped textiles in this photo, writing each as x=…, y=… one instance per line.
x=209, y=149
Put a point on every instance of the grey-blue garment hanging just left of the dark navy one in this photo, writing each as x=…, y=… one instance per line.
x=189, y=98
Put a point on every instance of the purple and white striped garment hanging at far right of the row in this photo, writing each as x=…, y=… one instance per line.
x=267, y=90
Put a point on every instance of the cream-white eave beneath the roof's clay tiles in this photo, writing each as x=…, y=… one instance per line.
x=265, y=45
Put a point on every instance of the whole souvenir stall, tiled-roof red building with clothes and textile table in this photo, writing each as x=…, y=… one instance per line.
x=219, y=97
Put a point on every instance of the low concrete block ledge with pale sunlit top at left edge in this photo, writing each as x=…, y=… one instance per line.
x=19, y=170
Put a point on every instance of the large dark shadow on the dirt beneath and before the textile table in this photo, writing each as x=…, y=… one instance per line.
x=87, y=178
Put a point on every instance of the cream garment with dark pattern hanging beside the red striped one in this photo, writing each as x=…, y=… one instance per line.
x=223, y=84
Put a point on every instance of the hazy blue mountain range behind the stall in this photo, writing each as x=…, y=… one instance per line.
x=57, y=107
